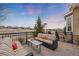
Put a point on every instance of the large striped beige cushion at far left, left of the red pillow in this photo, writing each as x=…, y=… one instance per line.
x=6, y=47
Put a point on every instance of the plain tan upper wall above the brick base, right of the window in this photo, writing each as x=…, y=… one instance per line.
x=76, y=21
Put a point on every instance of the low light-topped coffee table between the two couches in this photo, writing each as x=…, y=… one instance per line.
x=36, y=43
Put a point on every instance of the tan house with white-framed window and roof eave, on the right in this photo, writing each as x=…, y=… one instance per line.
x=72, y=21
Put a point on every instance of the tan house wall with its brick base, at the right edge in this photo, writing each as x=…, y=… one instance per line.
x=76, y=25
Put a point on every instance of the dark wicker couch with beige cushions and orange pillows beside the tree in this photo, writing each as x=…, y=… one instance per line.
x=49, y=40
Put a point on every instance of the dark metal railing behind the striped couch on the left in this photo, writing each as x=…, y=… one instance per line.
x=17, y=35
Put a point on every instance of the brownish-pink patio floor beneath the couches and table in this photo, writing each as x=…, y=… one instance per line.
x=64, y=49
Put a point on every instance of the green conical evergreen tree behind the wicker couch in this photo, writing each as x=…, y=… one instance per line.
x=38, y=27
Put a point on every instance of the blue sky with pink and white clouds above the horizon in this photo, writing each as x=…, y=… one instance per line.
x=26, y=14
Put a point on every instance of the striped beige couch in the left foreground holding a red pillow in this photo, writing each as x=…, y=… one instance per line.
x=7, y=50
